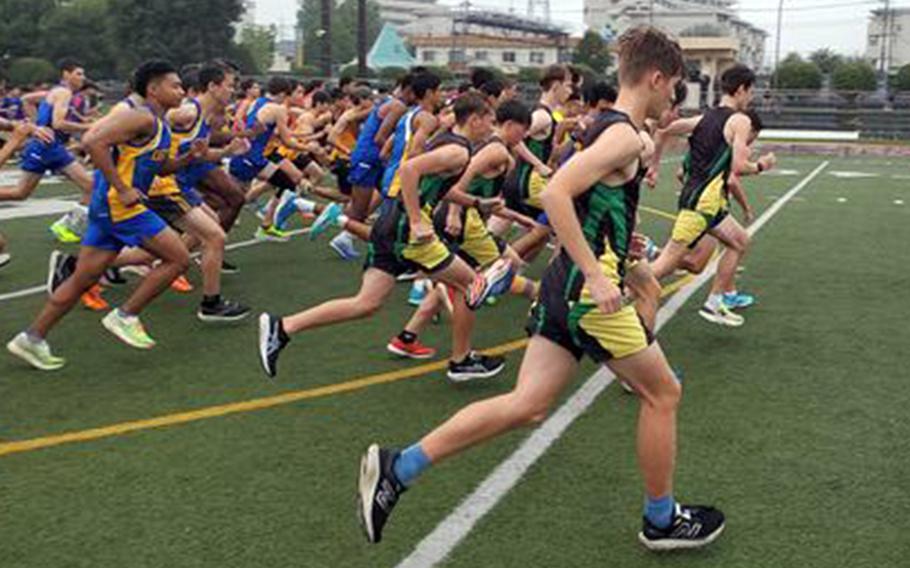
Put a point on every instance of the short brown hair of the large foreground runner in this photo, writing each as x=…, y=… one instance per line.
x=646, y=48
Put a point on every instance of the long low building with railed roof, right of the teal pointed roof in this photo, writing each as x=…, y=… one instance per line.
x=466, y=39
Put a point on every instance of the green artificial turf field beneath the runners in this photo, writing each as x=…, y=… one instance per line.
x=795, y=424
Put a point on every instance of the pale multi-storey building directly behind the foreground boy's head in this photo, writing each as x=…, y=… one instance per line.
x=714, y=19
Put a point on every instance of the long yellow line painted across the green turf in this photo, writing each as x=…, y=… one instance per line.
x=9, y=448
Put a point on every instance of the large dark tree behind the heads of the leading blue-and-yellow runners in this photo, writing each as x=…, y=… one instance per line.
x=181, y=31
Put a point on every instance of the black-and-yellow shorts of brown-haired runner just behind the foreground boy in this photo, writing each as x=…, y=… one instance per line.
x=391, y=249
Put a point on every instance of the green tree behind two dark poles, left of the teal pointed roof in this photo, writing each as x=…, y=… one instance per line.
x=344, y=30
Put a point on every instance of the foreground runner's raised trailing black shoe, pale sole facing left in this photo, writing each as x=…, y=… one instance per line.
x=378, y=490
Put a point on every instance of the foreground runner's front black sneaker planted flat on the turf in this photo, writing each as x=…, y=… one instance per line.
x=693, y=526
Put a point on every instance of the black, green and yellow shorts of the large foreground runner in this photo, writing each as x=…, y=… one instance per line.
x=565, y=314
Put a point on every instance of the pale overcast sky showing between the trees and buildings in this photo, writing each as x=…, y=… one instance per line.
x=807, y=24
